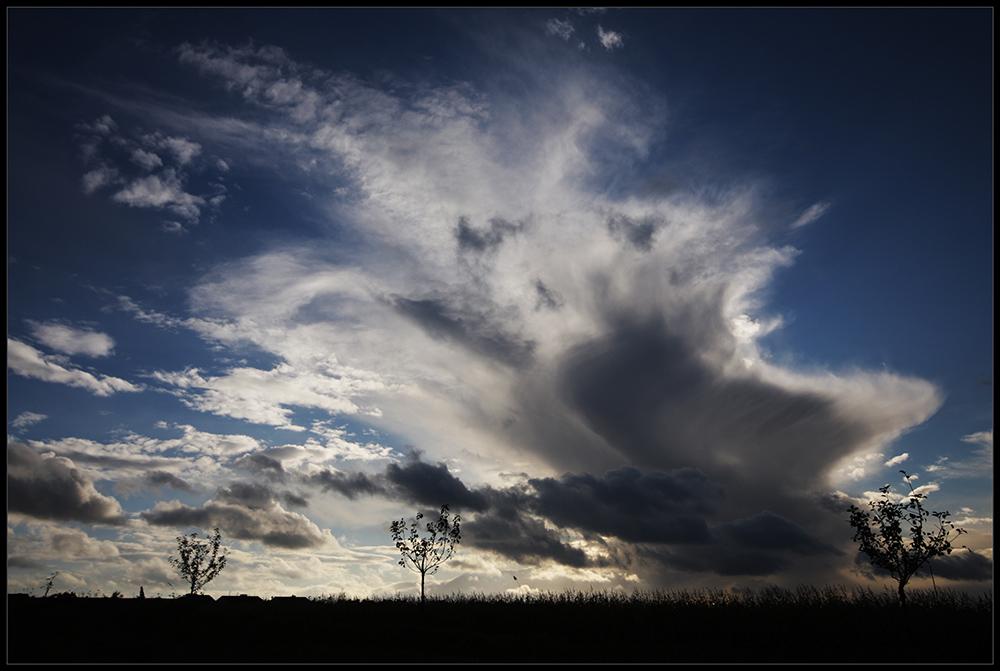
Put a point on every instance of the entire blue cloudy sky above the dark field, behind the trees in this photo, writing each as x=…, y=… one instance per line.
x=648, y=297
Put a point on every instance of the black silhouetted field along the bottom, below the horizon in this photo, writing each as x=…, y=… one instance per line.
x=568, y=628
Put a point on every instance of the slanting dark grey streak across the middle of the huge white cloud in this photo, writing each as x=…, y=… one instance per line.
x=475, y=332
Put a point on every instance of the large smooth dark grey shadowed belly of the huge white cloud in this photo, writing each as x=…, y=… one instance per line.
x=649, y=391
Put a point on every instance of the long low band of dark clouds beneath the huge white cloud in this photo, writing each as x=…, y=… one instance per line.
x=657, y=517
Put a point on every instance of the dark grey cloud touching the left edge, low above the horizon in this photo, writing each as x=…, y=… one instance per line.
x=52, y=488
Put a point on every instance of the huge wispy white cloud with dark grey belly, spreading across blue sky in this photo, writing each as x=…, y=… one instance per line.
x=492, y=282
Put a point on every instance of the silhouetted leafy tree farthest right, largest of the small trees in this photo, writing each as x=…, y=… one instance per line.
x=881, y=536
